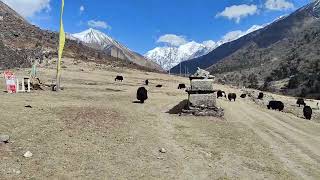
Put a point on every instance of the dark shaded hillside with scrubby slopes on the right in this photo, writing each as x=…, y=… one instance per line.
x=284, y=56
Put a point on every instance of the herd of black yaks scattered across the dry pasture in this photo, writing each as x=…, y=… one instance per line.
x=142, y=95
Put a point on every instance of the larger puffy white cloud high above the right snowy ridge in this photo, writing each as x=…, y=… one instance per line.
x=237, y=12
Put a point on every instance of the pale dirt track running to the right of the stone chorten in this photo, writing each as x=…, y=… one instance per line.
x=294, y=141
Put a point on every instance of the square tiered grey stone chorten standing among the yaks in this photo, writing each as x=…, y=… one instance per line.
x=202, y=100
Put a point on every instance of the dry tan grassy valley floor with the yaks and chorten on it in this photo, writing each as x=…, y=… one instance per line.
x=93, y=130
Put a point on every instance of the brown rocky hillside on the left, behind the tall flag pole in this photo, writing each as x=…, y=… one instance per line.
x=22, y=43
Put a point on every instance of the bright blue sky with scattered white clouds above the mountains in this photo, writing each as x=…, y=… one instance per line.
x=140, y=23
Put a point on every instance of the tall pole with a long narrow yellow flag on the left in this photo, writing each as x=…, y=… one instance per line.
x=62, y=39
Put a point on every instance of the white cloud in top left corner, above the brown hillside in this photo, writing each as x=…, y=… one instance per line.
x=28, y=8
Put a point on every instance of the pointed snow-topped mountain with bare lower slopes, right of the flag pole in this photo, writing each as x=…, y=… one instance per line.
x=98, y=40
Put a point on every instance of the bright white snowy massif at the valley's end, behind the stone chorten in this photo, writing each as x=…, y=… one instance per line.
x=169, y=56
